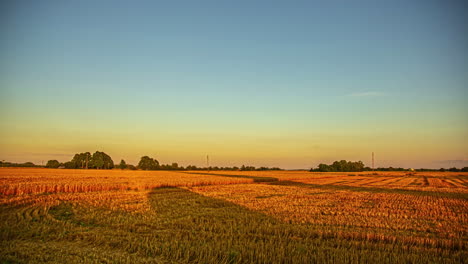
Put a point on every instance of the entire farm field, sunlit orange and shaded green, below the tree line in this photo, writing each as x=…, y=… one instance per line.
x=95, y=216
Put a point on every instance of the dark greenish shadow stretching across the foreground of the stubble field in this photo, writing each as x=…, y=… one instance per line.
x=186, y=227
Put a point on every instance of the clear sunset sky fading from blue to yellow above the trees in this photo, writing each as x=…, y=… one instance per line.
x=264, y=83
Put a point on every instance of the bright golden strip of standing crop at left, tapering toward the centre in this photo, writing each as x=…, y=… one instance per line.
x=16, y=181
